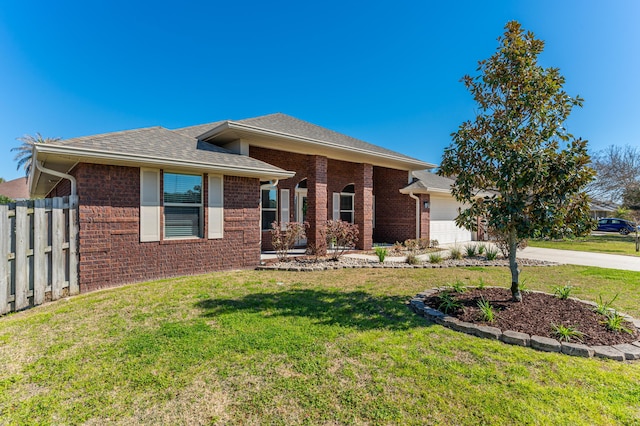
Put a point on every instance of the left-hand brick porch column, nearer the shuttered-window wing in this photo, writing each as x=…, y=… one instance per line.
x=316, y=198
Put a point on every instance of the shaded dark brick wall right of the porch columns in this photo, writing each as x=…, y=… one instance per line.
x=395, y=212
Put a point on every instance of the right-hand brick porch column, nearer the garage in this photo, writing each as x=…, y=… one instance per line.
x=364, y=206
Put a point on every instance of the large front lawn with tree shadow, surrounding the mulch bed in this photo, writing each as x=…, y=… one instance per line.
x=331, y=347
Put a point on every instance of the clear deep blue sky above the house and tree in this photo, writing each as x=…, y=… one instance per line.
x=384, y=72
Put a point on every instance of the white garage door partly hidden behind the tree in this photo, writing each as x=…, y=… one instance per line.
x=442, y=226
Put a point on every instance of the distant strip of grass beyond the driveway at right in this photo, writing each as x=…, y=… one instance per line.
x=611, y=243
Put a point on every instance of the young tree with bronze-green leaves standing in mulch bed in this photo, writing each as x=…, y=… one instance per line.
x=517, y=149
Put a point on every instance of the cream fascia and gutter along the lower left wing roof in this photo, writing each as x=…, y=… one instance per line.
x=142, y=160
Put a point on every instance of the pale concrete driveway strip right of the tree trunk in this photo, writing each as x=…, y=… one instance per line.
x=611, y=261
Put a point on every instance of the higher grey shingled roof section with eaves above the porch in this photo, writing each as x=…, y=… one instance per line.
x=286, y=133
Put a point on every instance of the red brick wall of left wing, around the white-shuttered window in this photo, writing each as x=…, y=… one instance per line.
x=110, y=249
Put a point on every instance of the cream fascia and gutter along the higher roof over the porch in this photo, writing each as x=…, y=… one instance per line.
x=230, y=125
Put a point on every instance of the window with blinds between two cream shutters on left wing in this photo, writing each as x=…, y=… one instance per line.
x=182, y=205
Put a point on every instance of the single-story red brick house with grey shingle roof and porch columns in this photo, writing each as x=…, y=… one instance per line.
x=157, y=203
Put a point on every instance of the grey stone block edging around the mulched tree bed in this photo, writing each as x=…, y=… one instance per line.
x=620, y=352
